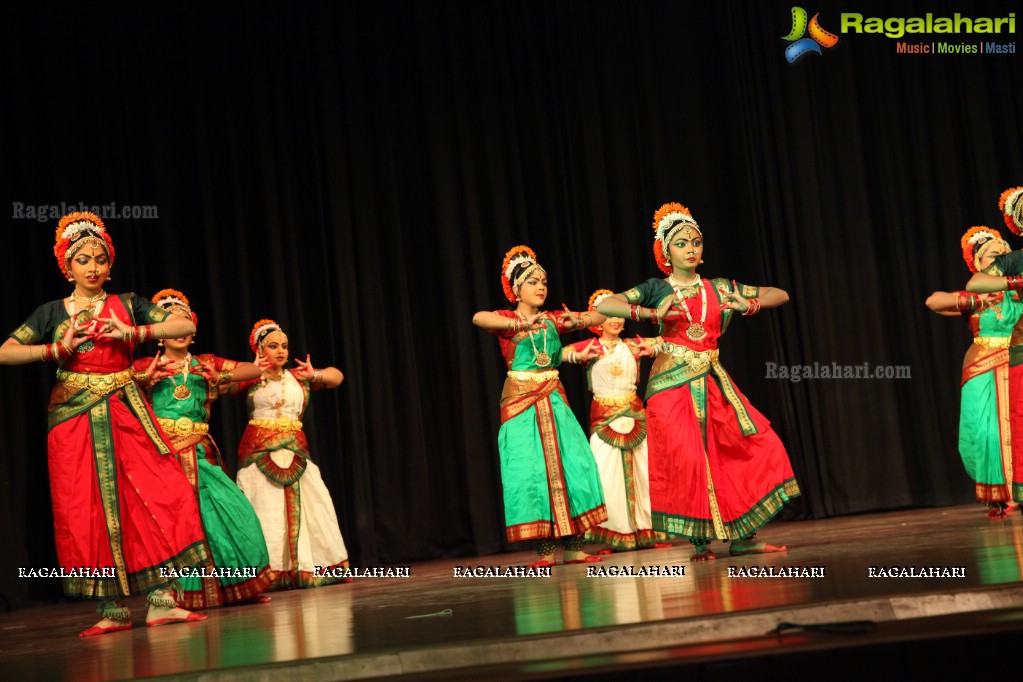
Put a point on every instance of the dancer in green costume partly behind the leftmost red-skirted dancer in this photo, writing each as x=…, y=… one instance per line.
x=182, y=388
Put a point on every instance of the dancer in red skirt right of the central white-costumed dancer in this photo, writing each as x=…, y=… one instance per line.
x=717, y=468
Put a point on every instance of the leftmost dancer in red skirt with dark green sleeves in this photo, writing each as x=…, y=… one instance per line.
x=124, y=515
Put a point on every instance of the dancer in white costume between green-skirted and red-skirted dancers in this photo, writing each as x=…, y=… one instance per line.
x=618, y=436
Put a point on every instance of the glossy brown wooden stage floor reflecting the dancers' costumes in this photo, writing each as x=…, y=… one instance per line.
x=434, y=625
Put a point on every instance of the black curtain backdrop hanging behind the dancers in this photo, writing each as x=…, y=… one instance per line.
x=358, y=171
